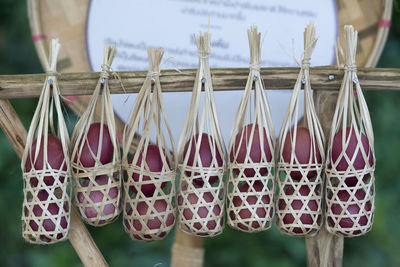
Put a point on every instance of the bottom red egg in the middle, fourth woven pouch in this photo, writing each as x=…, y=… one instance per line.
x=202, y=211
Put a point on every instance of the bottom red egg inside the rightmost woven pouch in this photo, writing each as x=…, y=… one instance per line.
x=353, y=209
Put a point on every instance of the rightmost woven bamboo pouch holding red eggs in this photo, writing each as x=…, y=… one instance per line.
x=350, y=203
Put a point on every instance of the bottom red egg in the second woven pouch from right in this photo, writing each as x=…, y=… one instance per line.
x=297, y=204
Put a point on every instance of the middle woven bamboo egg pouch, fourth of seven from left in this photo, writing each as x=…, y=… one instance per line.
x=200, y=200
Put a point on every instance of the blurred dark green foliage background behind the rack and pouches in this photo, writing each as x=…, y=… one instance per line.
x=380, y=247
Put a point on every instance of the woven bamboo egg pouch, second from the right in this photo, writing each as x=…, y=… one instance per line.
x=299, y=201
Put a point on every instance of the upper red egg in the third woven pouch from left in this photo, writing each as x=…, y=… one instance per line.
x=155, y=164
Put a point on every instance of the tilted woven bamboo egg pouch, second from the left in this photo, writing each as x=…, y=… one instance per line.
x=97, y=189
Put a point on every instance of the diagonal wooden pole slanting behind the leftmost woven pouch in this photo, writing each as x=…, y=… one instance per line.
x=78, y=235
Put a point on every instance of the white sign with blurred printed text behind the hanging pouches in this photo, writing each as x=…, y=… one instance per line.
x=135, y=25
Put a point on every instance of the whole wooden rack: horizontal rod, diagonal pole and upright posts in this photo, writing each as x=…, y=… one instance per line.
x=326, y=82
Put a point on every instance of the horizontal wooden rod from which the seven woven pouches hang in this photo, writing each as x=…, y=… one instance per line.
x=322, y=78
